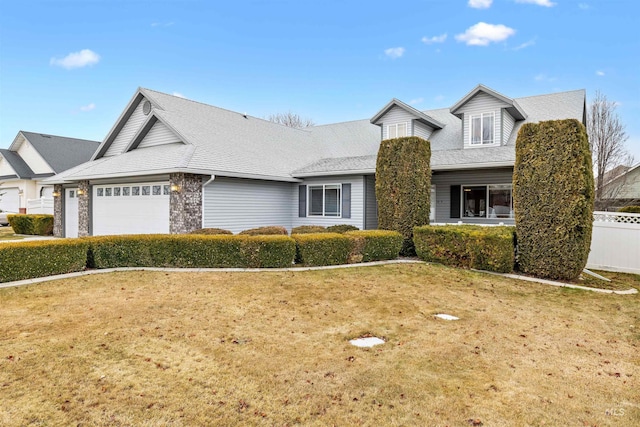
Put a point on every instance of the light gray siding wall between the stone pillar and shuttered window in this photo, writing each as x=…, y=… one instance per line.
x=239, y=204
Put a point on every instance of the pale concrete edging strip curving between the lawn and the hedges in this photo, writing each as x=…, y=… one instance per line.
x=332, y=267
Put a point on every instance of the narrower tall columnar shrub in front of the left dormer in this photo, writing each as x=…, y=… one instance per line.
x=403, y=186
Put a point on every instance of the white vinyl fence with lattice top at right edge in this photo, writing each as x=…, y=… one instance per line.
x=615, y=244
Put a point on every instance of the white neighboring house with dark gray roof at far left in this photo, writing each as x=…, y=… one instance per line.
x=30, y=159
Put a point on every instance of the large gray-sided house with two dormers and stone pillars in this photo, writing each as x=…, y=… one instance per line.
x=171, y=165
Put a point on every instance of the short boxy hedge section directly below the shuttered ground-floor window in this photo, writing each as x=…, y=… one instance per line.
x=322, y=248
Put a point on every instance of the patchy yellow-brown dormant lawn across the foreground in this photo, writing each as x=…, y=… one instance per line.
x=154, y=348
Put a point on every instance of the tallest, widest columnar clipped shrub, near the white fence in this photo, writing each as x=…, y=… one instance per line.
x=553, y=192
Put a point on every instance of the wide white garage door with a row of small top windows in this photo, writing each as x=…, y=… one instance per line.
x=140, y=208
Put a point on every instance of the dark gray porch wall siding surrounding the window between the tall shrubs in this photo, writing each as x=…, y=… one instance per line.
x=444, y=180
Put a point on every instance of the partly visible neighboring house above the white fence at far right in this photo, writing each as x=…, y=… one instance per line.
x=621, y=188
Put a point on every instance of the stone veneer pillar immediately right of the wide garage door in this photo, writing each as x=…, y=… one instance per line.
x=185, y=208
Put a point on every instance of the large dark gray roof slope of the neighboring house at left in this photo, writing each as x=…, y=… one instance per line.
x=61, y=152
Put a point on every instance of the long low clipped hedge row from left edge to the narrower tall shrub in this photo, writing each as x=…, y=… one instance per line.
x=23, y=260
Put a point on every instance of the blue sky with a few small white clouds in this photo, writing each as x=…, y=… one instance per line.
x=70, y=67
